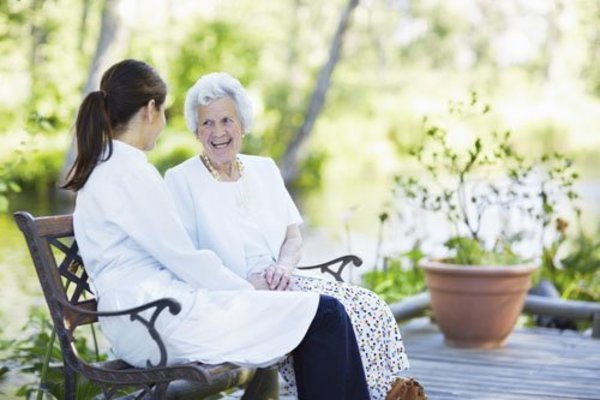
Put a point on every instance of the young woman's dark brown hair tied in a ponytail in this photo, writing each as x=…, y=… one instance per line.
x=125, y=88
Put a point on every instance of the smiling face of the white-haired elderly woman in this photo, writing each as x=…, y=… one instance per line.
x=220, y=130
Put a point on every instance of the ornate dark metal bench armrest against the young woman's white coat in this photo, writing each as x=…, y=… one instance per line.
x=134, y=314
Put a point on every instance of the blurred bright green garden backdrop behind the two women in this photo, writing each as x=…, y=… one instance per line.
x=366, y=72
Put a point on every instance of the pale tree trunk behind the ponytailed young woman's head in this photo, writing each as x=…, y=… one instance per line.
x=111, y=42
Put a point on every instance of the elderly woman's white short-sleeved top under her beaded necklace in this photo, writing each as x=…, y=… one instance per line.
x=245, y=221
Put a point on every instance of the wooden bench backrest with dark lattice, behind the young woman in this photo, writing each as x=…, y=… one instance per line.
x=61, y=274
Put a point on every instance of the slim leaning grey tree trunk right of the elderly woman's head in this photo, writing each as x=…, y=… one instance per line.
x=289, y=164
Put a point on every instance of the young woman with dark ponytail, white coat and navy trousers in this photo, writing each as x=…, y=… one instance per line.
x=136, y=250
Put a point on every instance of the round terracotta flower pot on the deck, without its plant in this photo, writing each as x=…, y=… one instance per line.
x=477, y=306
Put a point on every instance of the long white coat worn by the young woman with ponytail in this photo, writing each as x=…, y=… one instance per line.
x=136, y=249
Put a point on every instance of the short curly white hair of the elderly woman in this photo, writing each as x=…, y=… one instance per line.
x=214, y=86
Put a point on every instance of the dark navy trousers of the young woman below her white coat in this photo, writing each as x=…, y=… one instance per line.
x=327, y=361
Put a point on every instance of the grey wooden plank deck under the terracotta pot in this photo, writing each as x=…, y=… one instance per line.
x=536, y=363
